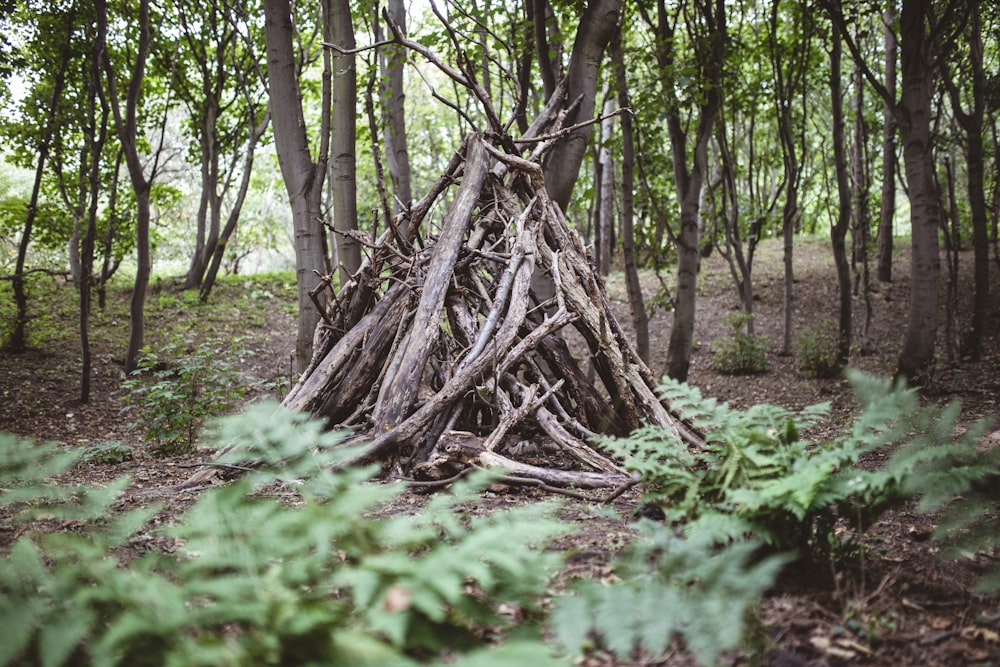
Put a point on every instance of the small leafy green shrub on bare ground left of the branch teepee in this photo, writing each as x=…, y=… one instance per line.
x=174, y=390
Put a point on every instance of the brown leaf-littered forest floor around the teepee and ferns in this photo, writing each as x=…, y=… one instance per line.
x=898, y=605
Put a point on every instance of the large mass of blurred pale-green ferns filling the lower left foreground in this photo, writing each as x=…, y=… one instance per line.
x=261, y=581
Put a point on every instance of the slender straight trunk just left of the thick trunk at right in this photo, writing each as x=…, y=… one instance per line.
x=888, y=210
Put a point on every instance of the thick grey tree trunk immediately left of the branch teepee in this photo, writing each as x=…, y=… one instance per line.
x=303, y=178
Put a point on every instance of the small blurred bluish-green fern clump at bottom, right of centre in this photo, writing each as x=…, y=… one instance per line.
x=669, y=588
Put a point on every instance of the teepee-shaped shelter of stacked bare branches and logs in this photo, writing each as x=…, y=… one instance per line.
x=447, y=349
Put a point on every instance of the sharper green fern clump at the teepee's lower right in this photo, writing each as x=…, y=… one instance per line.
x=757, y=475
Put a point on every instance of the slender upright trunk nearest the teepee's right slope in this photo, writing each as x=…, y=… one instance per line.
x=640, y=318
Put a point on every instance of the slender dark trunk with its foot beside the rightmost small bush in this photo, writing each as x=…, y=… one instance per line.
x=838, y=234
